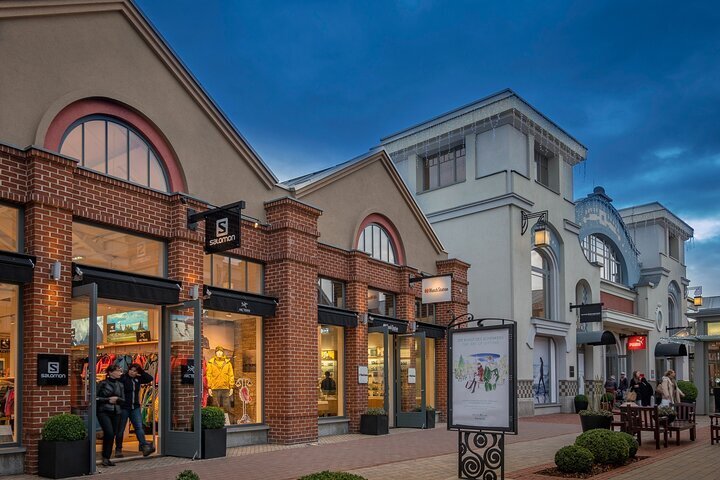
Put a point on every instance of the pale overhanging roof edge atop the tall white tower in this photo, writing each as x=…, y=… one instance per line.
x=486, y=107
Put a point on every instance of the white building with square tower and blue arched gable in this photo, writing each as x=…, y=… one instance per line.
x=476, y=172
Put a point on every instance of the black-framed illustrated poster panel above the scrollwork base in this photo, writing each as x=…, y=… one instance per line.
x=481, y=380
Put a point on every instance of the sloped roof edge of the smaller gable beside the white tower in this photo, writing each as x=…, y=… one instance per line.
x=306, y=184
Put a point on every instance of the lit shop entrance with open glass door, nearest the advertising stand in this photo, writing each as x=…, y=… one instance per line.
x=396, y=376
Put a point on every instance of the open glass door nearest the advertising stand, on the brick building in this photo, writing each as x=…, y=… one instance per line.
x=410, y=407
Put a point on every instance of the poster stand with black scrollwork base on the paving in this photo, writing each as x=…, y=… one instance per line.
x=482, y=393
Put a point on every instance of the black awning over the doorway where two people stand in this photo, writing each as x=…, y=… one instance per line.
x=127, y=286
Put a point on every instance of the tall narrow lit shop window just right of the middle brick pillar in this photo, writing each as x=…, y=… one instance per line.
x=330, y=386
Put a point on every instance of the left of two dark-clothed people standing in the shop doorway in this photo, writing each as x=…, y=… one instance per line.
x=110, y=396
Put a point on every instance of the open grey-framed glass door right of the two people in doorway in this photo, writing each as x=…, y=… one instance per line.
x=181, y=380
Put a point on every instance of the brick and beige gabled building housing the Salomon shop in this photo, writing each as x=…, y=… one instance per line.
x=99, y=265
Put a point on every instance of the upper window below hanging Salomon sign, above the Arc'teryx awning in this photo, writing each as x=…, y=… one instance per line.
x=234, y=273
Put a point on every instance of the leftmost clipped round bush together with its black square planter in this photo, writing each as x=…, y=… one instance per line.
x=64, y=448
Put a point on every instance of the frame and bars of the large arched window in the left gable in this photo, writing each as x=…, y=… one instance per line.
x=151, y=150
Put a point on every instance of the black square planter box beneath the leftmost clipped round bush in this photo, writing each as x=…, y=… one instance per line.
x=63, y=459
